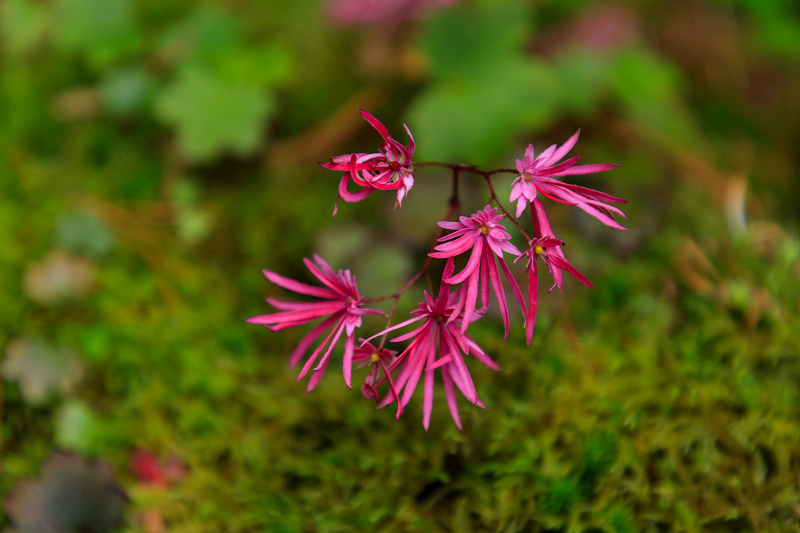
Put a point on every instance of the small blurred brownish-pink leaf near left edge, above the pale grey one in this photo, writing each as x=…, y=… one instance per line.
x=59, y=276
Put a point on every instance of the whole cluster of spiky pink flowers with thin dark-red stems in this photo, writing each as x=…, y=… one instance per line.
x=438, y=340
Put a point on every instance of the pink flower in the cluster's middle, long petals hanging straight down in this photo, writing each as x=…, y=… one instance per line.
x=482, y=233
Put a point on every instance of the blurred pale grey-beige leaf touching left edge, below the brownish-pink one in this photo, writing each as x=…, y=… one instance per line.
x=41, y=369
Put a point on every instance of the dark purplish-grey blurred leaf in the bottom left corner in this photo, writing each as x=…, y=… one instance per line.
x=71, y=495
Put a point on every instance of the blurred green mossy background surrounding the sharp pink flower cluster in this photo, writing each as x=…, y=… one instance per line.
x=155, y=155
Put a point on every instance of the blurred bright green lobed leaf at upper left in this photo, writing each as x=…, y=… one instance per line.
x=212, y=116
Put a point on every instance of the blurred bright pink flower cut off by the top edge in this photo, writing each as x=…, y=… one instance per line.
x=363, y=12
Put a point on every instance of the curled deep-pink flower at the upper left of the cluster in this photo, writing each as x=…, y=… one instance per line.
x=389, y=169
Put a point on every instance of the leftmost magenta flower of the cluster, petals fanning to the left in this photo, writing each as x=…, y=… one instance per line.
x=340, y=306
